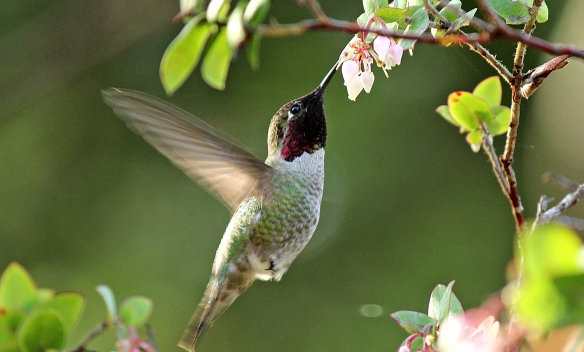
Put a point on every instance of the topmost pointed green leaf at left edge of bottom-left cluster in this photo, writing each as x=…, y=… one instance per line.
x=17, y=289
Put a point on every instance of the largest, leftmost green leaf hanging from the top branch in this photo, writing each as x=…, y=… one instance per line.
x=184, y=52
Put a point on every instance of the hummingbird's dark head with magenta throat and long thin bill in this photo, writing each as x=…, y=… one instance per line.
x=300, y=125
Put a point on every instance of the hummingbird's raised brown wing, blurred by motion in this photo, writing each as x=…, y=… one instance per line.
x=210, y=157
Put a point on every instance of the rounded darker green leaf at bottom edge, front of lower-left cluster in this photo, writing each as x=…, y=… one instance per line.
x=41, y=331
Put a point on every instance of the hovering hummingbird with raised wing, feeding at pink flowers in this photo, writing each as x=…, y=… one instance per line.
x=275, y=204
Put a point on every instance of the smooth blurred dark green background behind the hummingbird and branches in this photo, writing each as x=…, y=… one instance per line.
x=407, y=205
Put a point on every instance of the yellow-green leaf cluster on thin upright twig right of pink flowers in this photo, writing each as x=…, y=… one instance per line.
x=478, y=111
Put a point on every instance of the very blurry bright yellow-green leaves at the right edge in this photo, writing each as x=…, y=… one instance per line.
x=550, y=294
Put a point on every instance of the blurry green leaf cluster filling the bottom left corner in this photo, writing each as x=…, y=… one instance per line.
x=34, y=319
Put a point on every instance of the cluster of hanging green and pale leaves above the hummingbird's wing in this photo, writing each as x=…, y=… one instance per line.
x=219, y=27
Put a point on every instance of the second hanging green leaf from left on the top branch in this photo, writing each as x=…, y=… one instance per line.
x=216, y=63
